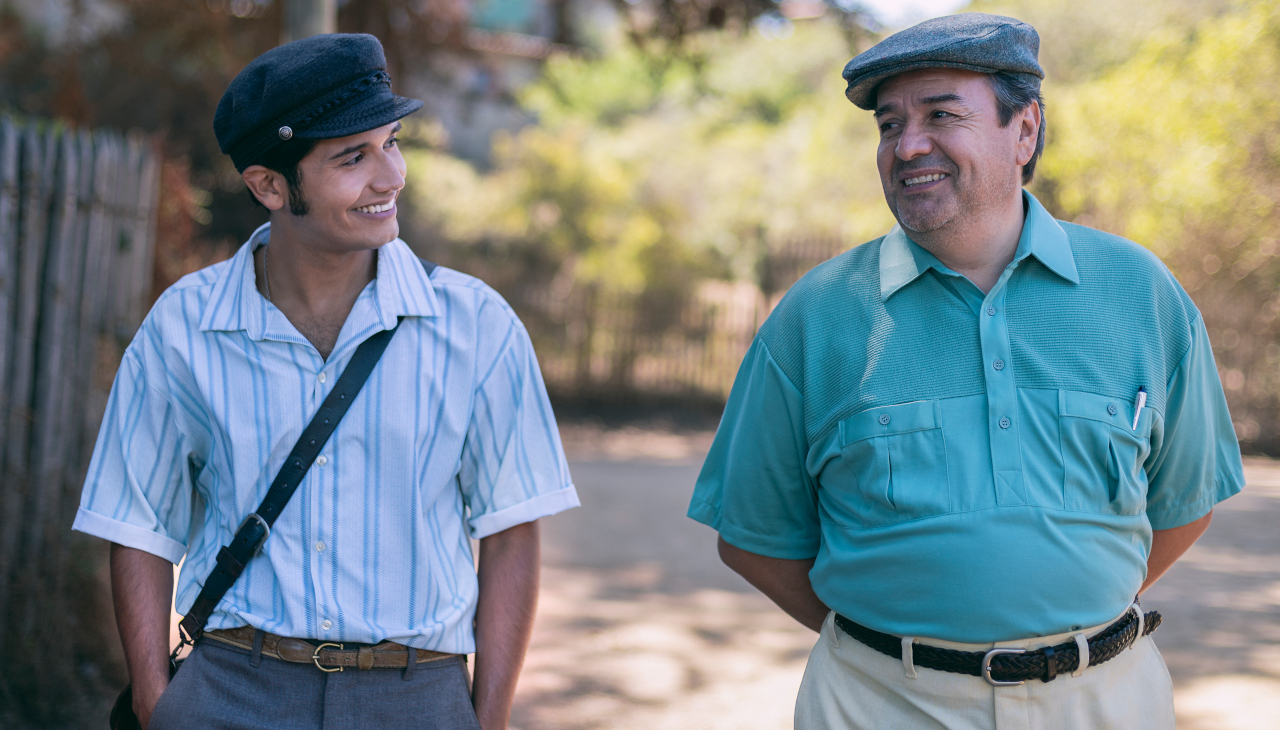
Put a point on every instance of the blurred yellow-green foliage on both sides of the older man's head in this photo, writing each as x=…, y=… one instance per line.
x=651, y=172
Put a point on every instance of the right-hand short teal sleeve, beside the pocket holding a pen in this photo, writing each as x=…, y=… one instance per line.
x=1196, y=459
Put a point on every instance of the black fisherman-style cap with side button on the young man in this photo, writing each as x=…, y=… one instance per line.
x=321, y=88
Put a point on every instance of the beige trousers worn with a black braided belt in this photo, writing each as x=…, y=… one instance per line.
x=848, y=686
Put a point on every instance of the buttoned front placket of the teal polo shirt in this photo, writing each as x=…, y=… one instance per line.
x=1003, y=419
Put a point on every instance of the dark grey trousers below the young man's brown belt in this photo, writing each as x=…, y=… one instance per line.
x=218, y=687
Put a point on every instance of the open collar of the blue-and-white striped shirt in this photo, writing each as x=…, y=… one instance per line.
x=401, y=289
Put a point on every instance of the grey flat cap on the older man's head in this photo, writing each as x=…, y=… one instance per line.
x=973, y=42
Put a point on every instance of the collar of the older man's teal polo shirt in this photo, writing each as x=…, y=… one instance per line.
x=904, y=261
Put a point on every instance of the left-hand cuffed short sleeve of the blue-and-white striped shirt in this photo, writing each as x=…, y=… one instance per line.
x=136, y=492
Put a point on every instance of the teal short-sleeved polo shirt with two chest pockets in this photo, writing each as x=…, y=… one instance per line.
x=966, y=467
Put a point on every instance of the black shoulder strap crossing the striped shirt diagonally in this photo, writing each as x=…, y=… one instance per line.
x=254, y=531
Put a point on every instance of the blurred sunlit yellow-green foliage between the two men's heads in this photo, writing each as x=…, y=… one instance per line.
x=735, y=143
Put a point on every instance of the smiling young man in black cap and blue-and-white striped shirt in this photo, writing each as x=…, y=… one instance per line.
x=451, y=439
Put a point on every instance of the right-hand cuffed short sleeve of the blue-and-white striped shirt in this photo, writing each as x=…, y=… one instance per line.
x=514, y=468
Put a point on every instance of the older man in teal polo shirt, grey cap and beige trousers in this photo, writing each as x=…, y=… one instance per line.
x=961, y=451
